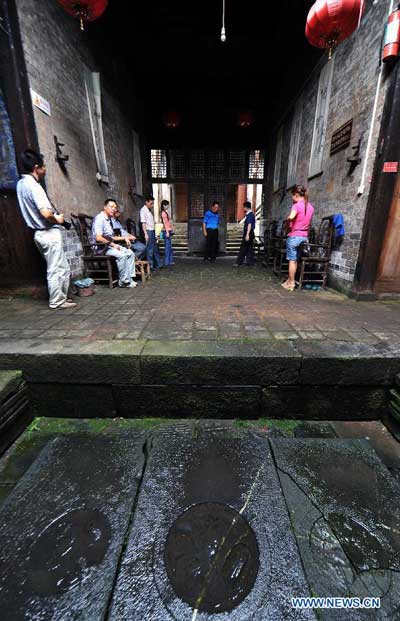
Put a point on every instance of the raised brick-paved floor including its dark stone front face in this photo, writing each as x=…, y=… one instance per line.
x=203, y=326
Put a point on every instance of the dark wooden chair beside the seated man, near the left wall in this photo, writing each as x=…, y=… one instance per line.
x=100, y=267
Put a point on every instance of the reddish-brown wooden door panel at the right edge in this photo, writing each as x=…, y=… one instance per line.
x=388, y=280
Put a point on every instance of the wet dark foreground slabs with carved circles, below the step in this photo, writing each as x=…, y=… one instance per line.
x=107, y=523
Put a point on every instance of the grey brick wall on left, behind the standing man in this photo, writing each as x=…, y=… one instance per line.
x=56, y=54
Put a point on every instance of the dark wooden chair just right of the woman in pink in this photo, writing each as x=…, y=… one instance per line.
x=313, y=269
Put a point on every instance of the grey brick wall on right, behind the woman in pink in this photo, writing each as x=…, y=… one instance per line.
x=354, y=84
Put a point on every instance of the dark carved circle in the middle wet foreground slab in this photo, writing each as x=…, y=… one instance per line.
x=211, y=557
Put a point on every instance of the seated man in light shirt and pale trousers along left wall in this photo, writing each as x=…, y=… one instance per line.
x=104, y=235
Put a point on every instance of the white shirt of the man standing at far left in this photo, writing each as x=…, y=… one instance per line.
x=32, y=199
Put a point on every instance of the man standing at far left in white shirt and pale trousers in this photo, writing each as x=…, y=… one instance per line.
x=41, y=217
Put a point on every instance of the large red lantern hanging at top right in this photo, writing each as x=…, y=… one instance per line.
x=331, y=21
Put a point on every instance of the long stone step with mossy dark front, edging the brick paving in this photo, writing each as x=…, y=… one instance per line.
x=279, y=379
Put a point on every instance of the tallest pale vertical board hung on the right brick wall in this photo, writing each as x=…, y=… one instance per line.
x=321, y=118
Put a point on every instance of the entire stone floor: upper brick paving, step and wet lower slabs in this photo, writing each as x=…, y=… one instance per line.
x=128, y=497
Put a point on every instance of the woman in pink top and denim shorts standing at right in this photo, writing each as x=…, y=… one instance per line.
x=299, y=220
